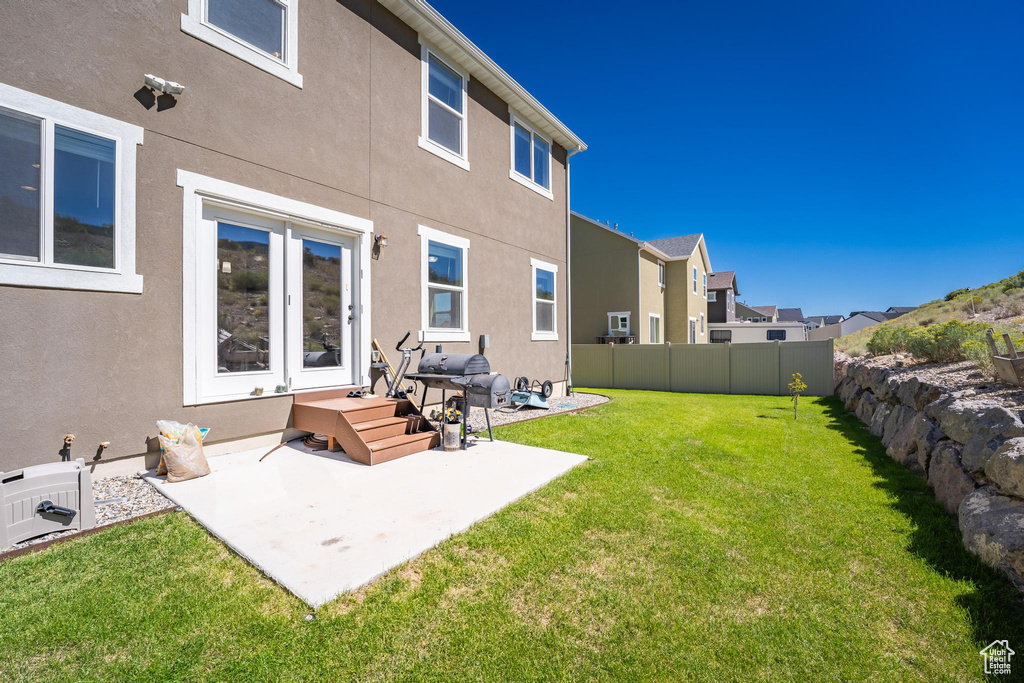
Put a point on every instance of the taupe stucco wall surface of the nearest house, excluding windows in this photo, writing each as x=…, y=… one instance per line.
x=106, y=366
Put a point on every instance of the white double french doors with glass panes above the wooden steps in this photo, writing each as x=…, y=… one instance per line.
x=276, y=305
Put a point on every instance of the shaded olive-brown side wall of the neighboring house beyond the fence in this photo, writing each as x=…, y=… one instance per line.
x=605, y=280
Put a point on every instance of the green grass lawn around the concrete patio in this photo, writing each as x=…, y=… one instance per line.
x=710, y=538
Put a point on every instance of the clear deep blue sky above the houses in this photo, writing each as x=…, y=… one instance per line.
x=837, y=155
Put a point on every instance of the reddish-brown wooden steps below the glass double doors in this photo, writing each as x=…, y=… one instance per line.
x=369, y=431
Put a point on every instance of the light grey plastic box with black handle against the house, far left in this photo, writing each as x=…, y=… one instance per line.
x=39, y=500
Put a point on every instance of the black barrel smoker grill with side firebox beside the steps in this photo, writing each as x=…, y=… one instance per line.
x=468, y=374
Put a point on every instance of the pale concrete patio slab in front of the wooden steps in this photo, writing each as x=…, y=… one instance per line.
x=321, y=525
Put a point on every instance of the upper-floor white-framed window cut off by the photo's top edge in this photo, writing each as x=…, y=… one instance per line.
x=264, y=33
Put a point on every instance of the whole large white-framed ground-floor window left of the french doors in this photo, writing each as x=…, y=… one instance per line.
x=67, y=196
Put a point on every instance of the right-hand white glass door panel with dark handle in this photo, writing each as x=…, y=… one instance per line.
x=322, y=311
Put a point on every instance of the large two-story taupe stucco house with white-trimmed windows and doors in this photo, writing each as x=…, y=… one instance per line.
x=178, y=257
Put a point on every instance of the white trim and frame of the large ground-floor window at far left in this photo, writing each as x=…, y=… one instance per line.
x=47, y=274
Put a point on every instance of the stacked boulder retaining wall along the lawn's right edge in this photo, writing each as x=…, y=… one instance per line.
x=971, y=451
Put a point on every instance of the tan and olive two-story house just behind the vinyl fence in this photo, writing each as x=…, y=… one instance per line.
x=649, y=292
